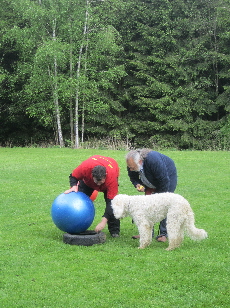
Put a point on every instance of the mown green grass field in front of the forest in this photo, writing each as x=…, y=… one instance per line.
x=39, y=270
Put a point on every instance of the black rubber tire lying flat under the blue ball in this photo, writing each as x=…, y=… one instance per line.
x=87, y=238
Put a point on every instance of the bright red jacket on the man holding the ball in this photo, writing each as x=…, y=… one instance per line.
x=84, y=172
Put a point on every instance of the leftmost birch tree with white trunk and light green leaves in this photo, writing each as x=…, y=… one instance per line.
x=60, y=36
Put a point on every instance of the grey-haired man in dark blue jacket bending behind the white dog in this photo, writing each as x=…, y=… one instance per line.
x=152, y=172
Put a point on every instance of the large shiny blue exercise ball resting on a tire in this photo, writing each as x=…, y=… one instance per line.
x=73, y=213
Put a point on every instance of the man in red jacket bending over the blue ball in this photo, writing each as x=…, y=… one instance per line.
x=98, y=173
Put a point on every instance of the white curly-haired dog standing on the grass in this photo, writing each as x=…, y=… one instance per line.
x=147, y=210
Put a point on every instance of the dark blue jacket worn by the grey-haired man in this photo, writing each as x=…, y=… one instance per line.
x=160, y=171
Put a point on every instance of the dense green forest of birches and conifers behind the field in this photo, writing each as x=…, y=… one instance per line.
x=115, y=73
